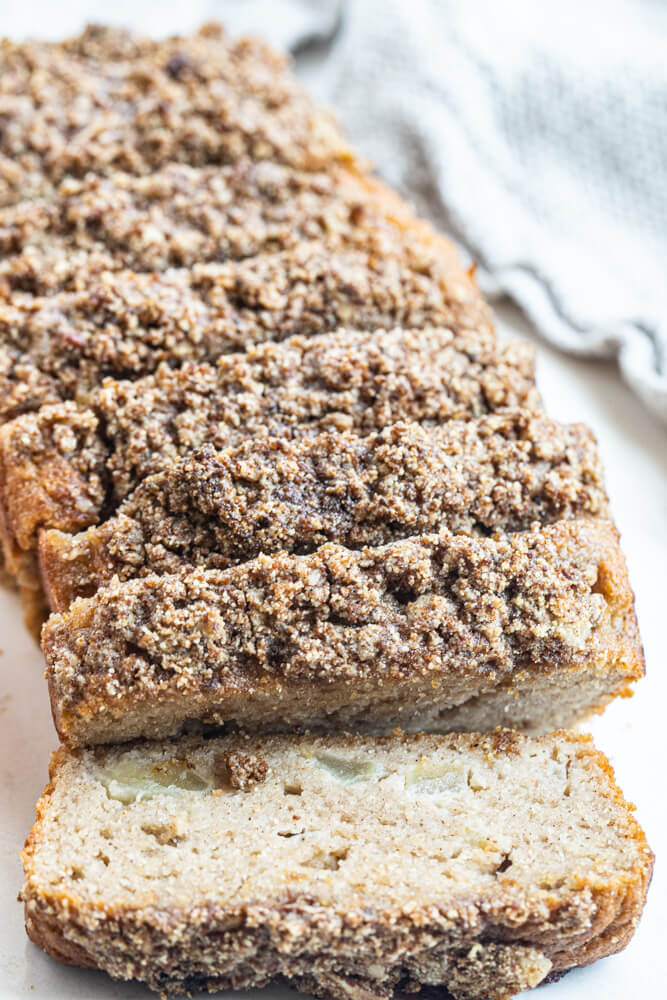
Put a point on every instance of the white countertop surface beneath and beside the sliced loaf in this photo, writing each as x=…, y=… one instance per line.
x=634, y=449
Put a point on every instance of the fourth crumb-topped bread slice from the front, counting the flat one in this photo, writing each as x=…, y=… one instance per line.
x=62, y=465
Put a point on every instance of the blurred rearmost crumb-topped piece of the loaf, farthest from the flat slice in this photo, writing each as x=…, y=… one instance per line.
x=108, y=101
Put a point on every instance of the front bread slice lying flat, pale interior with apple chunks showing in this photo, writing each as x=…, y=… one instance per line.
x=353, y=867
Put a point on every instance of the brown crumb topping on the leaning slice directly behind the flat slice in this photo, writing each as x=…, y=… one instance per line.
x=431, y=605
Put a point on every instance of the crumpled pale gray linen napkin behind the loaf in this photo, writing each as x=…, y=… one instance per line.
x=533, y=130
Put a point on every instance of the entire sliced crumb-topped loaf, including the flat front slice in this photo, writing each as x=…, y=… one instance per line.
x=319, y=579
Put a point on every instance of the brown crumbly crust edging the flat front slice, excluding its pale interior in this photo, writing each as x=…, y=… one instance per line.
x=490, y=946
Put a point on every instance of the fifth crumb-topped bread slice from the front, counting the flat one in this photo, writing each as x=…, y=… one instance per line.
x=125, y=324
